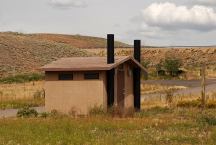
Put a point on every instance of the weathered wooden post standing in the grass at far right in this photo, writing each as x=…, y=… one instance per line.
x=203, y=83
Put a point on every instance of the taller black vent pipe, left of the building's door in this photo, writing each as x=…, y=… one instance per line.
x=110, y=73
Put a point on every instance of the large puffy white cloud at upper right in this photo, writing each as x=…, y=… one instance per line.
x=168, y=16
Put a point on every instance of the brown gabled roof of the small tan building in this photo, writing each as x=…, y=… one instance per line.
x=88, y=63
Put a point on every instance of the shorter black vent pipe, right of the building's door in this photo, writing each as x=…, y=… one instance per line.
x=137, y=76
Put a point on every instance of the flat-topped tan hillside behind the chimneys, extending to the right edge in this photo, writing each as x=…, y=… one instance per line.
x=192, y=56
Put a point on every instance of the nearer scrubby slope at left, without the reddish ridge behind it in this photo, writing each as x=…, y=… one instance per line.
x=23, y=53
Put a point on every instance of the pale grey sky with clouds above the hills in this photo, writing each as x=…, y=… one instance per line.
x=155, y=22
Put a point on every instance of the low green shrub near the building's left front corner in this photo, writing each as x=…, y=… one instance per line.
x=27, y=112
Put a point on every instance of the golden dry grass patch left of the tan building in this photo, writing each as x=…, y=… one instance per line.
x=20, y=95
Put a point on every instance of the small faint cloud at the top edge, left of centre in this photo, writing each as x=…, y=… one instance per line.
x=64, y=4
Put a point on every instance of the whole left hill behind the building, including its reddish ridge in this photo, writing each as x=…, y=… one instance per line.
x=25, y=53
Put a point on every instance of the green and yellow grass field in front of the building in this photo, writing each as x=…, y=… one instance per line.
x=156, y=126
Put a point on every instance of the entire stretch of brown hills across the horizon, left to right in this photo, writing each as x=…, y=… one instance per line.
x=25, y=53
